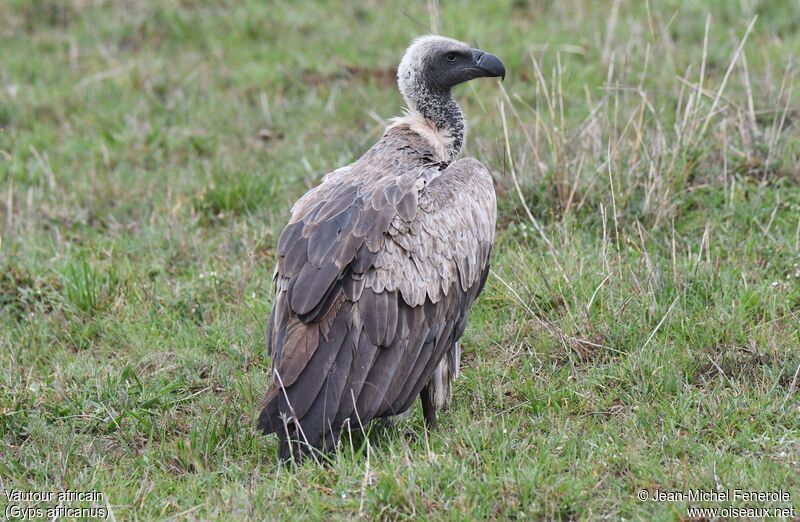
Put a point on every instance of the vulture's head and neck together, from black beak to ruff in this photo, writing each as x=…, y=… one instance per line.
x=430, y=68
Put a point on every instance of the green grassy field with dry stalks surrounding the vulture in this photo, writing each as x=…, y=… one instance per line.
x=640, y=329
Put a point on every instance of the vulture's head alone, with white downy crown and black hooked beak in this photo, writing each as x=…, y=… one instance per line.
x=434, y=64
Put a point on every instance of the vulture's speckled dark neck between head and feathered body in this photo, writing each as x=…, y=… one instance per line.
x=442, y=111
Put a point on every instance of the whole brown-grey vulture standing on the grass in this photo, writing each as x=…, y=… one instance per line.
x=380, y=264
